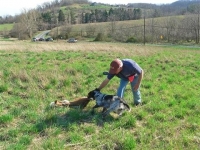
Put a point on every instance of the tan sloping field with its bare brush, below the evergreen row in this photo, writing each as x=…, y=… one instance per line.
x=172, y=29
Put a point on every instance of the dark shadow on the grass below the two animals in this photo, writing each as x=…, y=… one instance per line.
x=72, y=116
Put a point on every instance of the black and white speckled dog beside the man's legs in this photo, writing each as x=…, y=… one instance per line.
x=108, y=102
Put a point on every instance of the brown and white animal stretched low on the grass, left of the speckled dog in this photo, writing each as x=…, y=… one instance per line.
x=79, y=102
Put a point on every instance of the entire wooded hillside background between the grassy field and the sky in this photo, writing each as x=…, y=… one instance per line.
x=66, y=16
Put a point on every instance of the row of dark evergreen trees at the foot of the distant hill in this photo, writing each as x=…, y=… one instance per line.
x=98, y=15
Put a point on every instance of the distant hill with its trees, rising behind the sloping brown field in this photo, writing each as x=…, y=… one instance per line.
x=73, y=12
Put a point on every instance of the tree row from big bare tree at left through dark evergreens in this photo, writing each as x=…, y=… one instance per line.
x=30, y=21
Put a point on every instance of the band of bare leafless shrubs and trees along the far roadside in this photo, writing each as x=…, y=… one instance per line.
x=173, y=32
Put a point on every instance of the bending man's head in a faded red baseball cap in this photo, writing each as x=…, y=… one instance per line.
x=115, y=66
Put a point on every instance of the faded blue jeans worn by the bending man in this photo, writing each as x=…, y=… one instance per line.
x=136, y=94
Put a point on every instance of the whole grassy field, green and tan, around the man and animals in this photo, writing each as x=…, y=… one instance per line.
x=34, y=74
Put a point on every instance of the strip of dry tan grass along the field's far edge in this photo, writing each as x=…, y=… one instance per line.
x=109, y=48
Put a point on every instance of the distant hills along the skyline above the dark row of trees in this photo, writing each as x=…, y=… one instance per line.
x=152, y=10
